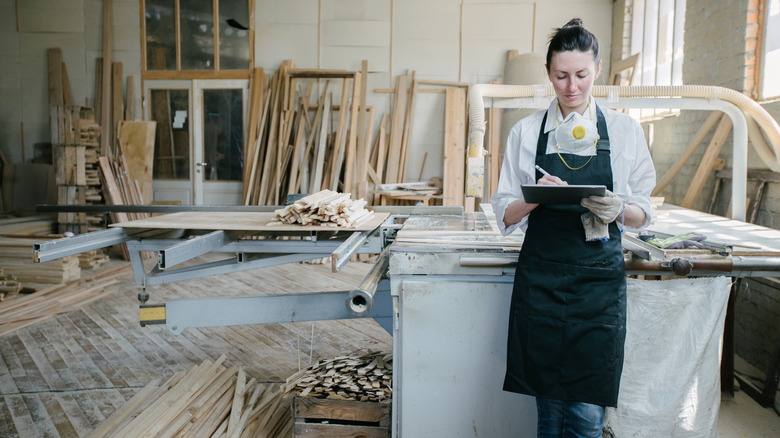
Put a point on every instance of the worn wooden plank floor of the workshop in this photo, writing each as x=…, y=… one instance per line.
x=65, y=375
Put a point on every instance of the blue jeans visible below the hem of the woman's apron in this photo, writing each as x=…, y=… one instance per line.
x=558, y=419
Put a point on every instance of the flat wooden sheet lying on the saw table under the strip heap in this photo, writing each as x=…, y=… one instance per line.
x=240, y=221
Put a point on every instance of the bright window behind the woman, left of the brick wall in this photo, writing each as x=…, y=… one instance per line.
x=657, y=28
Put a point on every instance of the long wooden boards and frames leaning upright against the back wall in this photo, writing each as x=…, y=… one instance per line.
x=301, y=141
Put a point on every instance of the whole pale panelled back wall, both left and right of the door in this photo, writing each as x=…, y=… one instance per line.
x=447, y=40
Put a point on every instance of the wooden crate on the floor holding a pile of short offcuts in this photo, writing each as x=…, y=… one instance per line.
x=324, y=418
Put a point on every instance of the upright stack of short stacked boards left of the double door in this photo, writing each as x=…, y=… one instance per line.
x=74, y=138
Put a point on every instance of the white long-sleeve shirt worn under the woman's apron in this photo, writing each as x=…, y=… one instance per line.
x=633, y=173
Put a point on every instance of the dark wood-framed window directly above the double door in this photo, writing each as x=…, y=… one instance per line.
x=181, y=36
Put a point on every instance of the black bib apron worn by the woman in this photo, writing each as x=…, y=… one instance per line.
x=567, y=321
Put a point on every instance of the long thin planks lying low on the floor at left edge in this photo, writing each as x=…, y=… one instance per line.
x=26, y=310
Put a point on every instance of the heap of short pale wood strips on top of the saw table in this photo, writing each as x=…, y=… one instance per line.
x=327, y=208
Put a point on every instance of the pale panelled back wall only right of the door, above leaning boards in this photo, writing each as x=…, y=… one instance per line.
x=446, y=40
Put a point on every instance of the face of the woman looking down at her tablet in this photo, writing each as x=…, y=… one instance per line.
x=572, y=74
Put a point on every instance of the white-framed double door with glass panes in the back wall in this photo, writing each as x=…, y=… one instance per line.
x=199, y=146
